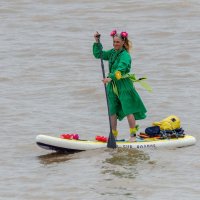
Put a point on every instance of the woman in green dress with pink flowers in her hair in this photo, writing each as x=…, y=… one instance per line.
x=123, y=99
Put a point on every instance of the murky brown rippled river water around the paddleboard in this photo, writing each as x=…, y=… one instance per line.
x=50, y=84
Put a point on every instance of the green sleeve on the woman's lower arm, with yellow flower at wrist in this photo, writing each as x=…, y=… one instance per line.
x=124, y=66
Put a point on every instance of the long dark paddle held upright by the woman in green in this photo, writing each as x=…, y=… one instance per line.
x=111, y=139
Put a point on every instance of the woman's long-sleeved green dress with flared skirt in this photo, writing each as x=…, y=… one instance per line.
x=126, y=101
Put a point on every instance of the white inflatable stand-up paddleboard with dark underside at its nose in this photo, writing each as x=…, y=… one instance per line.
x=72, y=145
